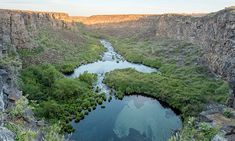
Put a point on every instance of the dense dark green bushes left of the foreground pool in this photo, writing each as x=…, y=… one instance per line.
x=57, y=98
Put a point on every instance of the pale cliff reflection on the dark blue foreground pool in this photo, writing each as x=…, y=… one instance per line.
x=145, y=116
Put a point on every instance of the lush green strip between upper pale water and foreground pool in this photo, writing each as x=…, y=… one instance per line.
x=188, y=97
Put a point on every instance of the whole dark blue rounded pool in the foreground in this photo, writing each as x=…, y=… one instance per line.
x=135, y=118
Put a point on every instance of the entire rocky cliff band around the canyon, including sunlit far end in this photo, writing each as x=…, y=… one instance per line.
x=215, y=32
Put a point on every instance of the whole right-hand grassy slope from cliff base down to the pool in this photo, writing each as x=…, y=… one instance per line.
x=183, y=83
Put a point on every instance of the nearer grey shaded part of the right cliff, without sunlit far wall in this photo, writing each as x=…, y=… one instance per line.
x=214, y=32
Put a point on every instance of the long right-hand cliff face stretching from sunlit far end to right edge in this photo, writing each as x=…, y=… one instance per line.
x=215, y=33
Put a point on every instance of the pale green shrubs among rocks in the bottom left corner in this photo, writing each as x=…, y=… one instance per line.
x=17, y=124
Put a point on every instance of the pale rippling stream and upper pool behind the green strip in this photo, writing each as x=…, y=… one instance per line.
x=109, y=62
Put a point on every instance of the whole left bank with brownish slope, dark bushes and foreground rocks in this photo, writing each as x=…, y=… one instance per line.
x=54, y=50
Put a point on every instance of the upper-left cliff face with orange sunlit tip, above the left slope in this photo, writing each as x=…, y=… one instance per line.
x=17, y=27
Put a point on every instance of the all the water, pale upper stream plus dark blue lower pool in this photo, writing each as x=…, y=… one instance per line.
x=135, y=118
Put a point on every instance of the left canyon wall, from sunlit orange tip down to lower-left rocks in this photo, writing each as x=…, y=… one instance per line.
x=17, y=29
